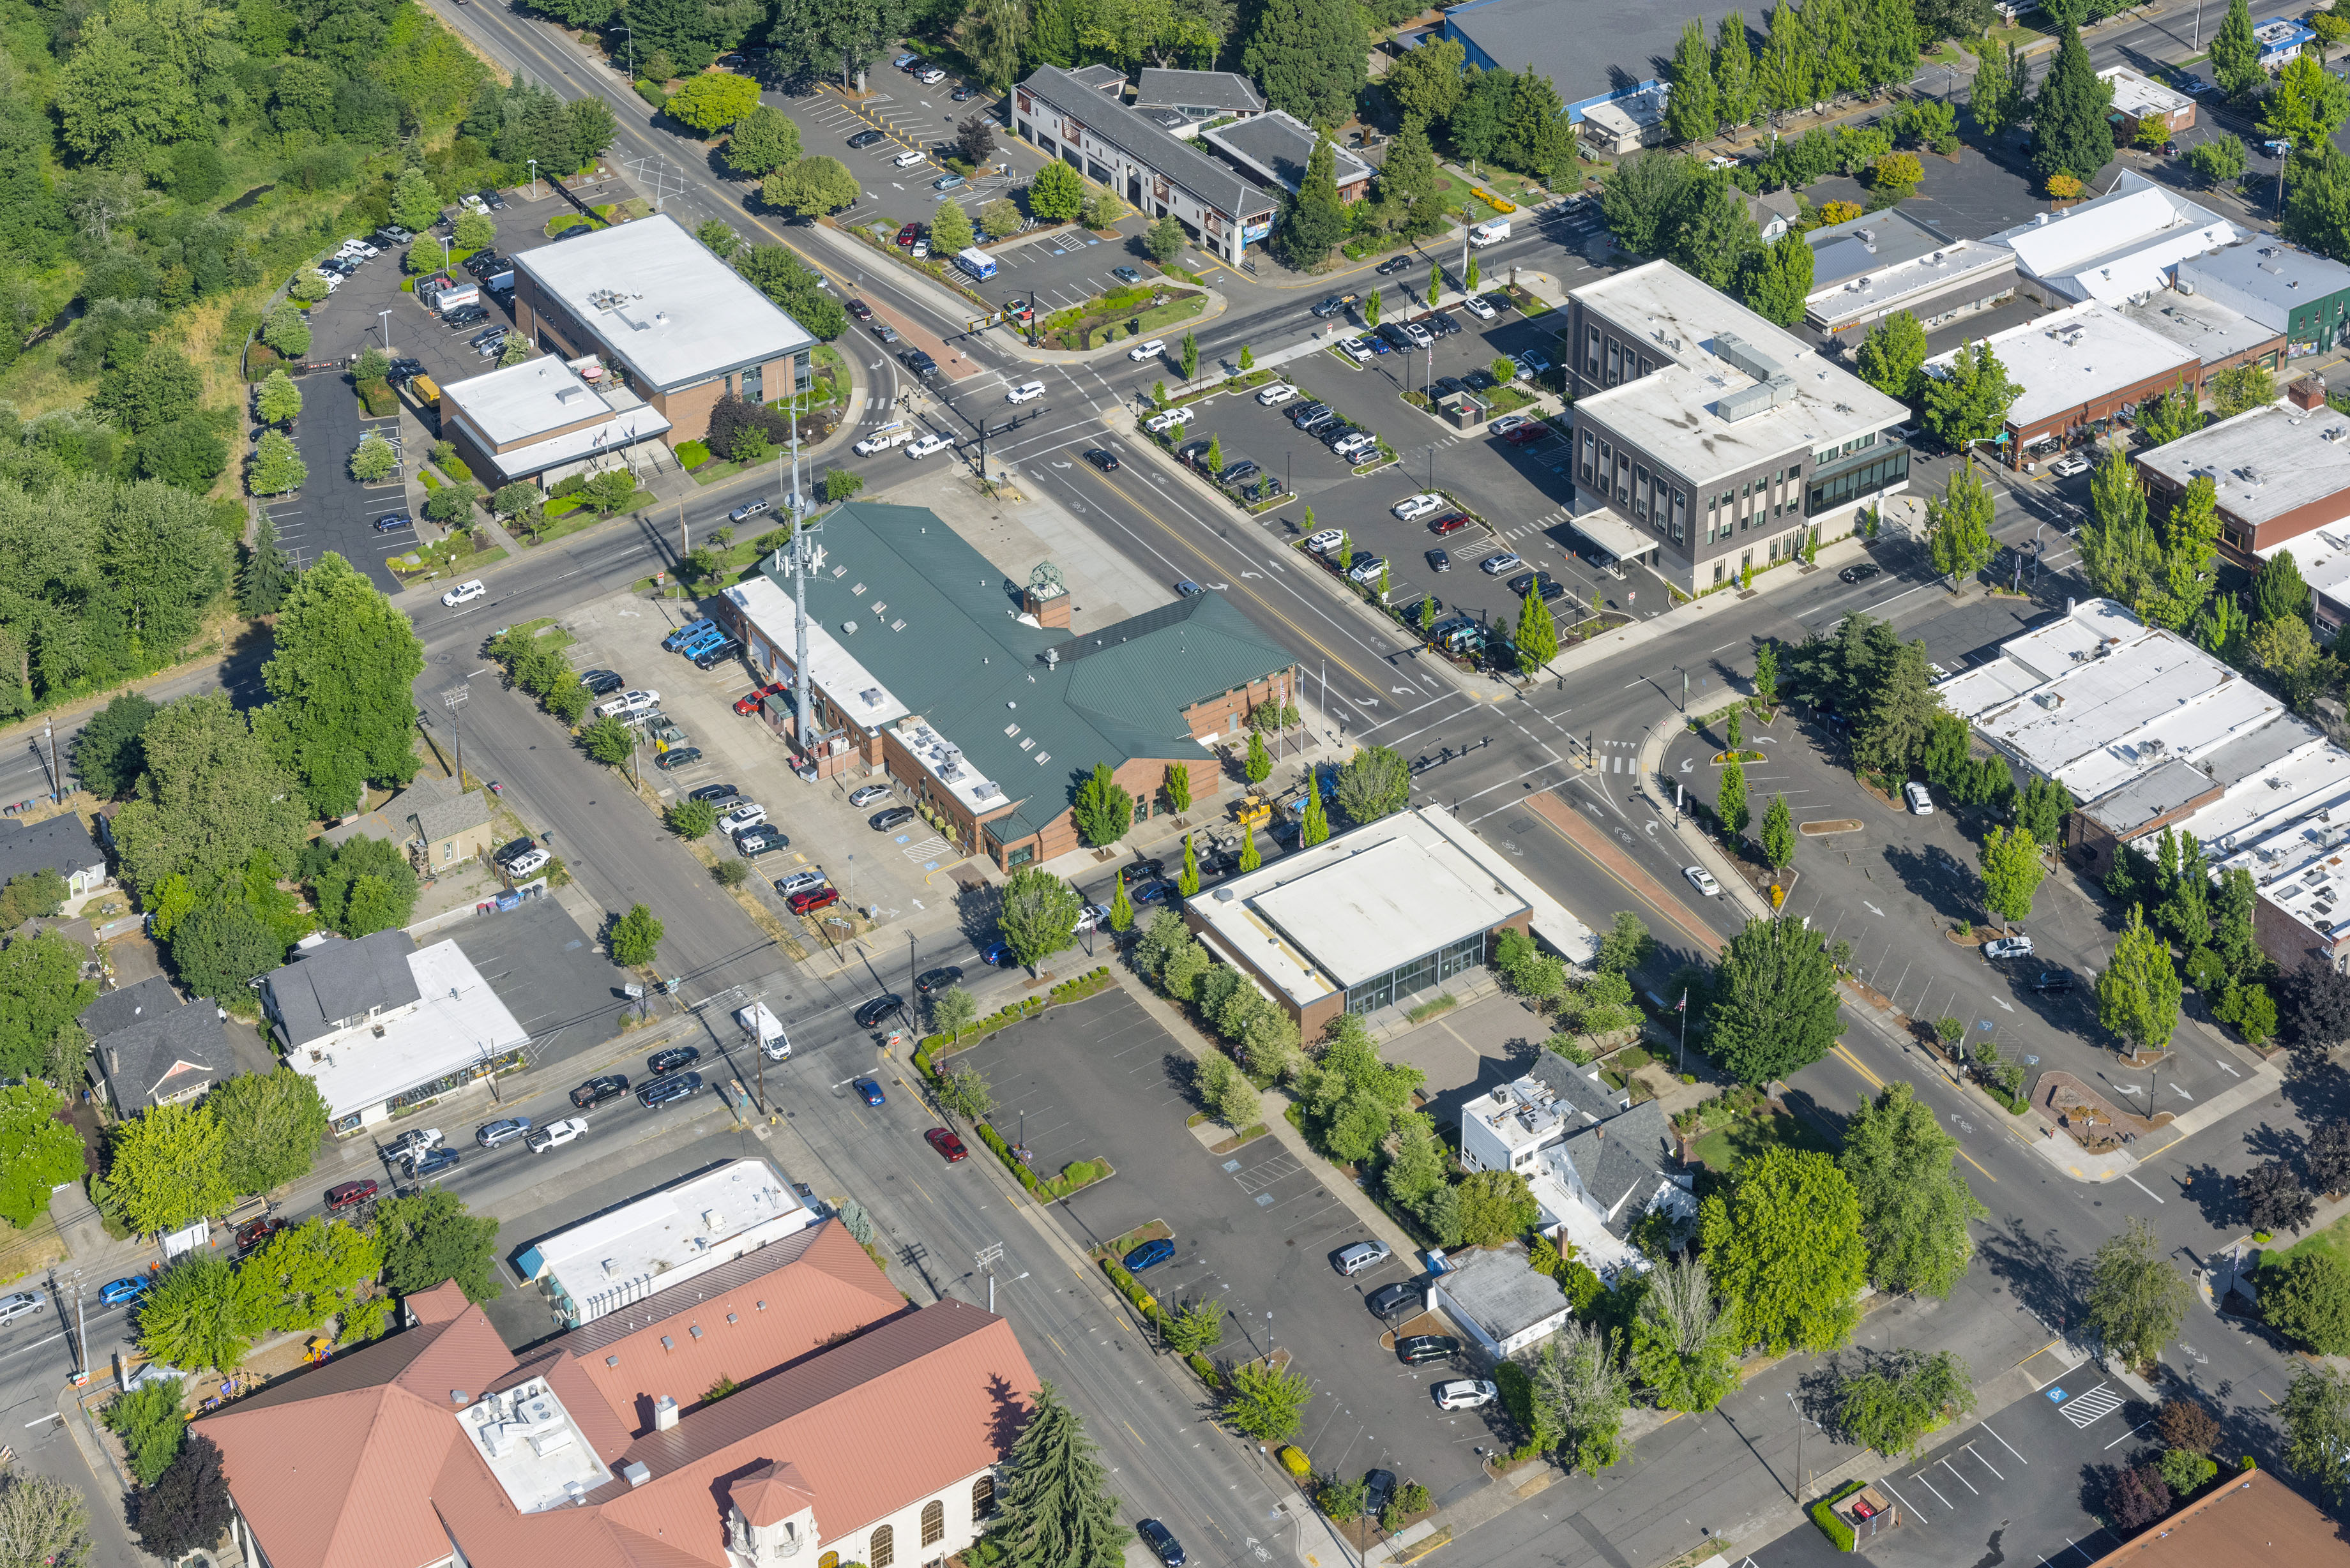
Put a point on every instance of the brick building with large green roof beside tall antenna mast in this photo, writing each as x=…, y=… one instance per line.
x=972, y=692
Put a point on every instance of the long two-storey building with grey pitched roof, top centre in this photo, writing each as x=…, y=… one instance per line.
x=1143, y=161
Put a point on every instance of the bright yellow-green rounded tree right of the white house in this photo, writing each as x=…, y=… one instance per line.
x=1785, y=1249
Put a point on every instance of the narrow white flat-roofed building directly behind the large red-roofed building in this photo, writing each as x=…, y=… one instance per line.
x=664, y=1240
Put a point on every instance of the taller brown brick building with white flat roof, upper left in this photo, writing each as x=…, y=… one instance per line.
x=671, y=323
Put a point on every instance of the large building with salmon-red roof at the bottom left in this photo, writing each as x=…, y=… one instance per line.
x=859, y=1430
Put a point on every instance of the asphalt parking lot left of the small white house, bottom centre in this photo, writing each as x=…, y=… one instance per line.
x=1254, y=1228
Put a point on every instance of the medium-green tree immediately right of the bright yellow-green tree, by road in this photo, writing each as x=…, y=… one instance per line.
x=1914, y=1202
